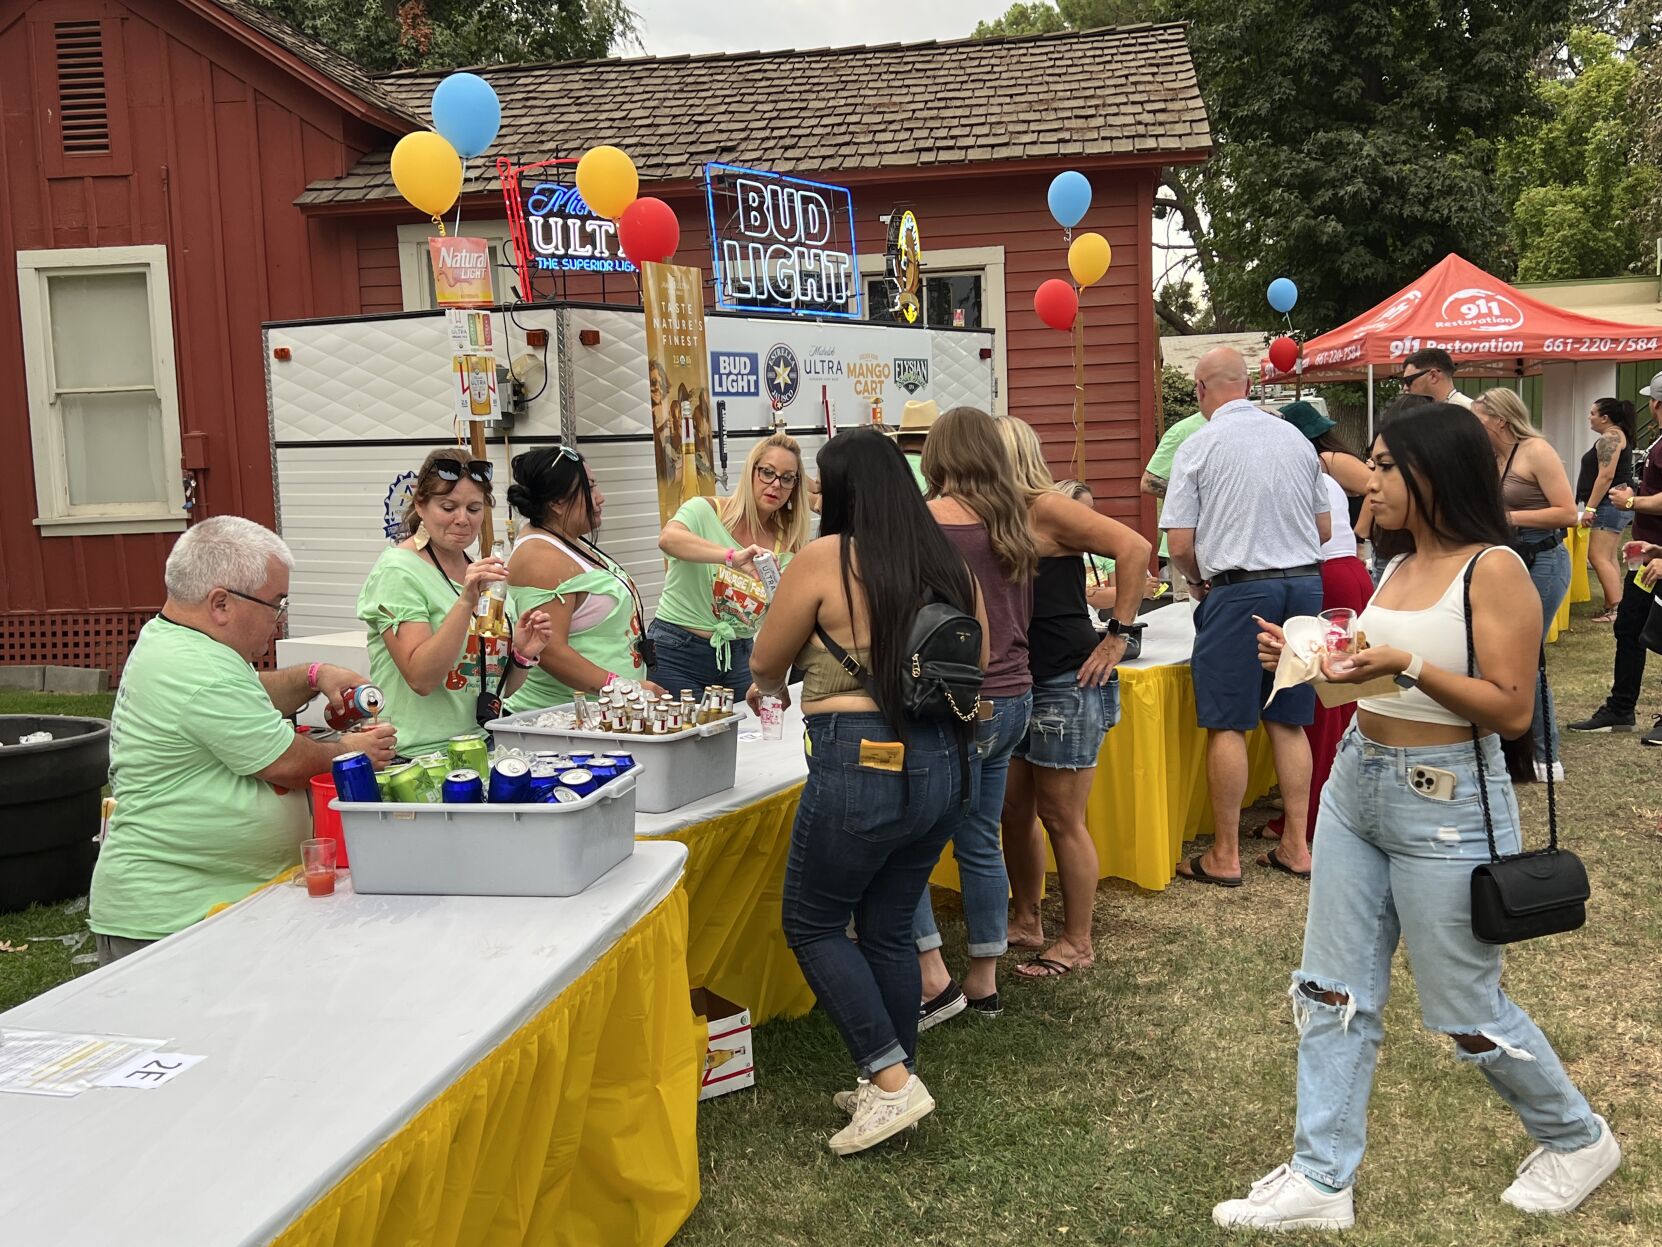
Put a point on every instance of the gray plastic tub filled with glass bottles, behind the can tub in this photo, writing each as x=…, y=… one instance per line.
x=674, y=771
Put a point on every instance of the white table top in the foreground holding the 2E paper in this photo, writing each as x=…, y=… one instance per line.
x=327, y=1025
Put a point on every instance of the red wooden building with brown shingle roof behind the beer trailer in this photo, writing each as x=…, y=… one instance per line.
x=177, y=172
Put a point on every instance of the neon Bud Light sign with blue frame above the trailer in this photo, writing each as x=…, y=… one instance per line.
x=782, y=245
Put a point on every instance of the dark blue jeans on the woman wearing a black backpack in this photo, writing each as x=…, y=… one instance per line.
x=863, y=849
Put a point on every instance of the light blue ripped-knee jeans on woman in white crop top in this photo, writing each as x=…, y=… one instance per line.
x=1395, y=864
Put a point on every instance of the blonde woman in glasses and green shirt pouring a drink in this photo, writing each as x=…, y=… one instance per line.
x=714, y=598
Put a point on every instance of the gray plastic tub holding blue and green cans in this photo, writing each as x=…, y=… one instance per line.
x=489, y=850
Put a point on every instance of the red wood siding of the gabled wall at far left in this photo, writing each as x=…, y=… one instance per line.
x=212, y=144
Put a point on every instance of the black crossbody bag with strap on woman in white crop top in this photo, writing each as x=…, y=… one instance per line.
x=1523, y=895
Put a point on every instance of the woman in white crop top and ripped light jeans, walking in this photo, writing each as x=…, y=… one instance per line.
x=1402, y=829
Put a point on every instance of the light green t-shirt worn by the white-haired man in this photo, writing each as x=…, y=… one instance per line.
x=192, y=827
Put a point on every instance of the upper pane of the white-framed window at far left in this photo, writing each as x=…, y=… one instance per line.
x=101, y=330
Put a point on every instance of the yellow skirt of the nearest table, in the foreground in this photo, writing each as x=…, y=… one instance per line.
x=581, y=1130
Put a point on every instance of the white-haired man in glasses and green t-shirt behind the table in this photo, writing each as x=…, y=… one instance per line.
x=209, y=772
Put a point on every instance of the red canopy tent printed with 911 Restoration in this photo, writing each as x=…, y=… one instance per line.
x=1490, y=330
